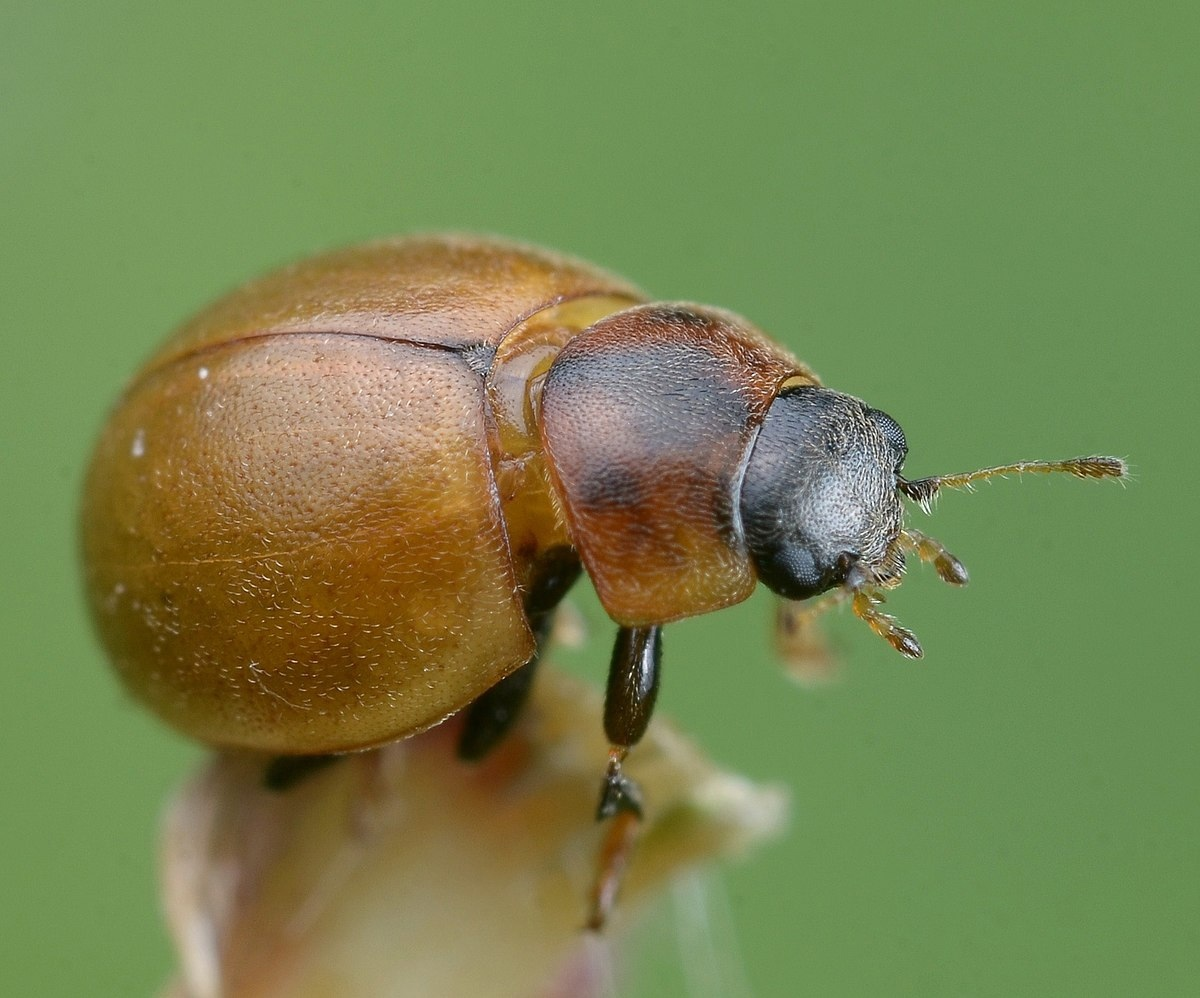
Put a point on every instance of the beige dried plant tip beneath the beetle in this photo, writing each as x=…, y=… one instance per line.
x=406, y=873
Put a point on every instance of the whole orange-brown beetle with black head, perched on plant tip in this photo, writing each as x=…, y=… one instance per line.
x=343, y=503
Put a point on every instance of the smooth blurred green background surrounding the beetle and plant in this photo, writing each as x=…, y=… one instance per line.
x=983, y=219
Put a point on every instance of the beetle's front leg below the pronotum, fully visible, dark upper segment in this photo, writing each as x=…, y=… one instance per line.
x=629, y=704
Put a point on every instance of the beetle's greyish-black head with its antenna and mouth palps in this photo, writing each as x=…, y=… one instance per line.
x=821, y=503
